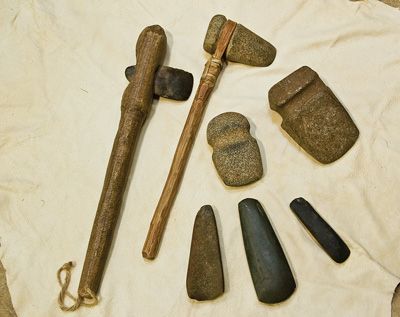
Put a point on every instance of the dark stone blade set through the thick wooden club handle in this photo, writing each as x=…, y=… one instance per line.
x=171, y=83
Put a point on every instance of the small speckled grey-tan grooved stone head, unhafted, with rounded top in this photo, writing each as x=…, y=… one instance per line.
x=236, y=155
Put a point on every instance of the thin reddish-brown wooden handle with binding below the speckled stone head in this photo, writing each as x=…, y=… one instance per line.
x=188, y=135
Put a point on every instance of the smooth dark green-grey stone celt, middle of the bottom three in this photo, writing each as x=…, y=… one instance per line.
x=272, y=278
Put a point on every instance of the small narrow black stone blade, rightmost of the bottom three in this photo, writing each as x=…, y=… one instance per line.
x=327, y=238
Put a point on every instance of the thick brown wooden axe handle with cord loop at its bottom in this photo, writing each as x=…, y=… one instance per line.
x=135, y=105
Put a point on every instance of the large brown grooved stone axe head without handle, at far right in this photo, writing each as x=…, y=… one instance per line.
x=313, y=116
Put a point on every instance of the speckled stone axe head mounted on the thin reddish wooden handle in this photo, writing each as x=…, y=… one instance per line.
x=244, y=46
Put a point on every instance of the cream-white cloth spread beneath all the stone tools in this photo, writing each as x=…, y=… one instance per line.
x=62, y=77
